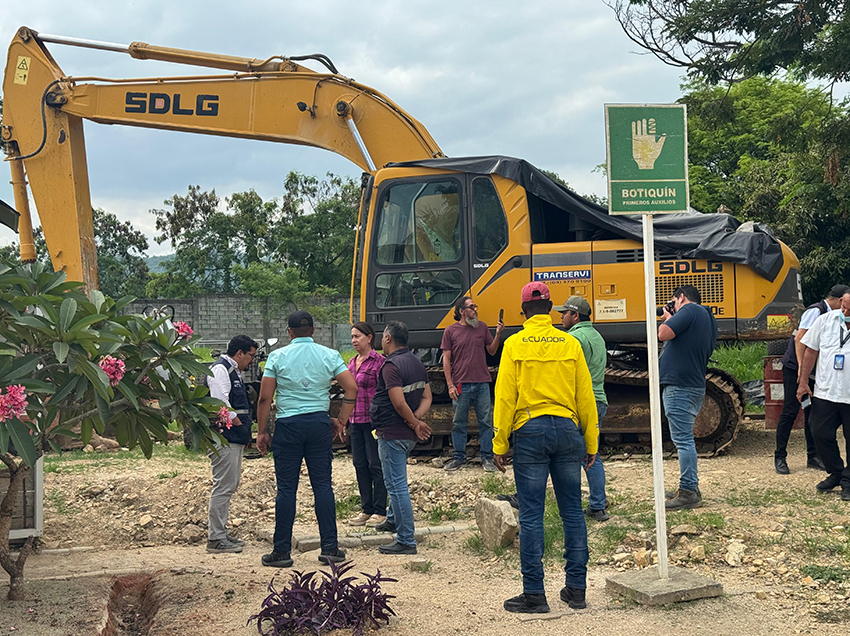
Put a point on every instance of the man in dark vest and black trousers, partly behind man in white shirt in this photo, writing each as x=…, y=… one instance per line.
x=790, y=373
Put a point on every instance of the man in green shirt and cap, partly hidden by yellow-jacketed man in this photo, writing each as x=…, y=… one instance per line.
x=575, y=316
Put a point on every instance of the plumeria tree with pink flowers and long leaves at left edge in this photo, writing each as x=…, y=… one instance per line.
x=71, y=364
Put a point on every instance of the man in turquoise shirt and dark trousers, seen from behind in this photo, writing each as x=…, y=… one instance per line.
x=301, y=374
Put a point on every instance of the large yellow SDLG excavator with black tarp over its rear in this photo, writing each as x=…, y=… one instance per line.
x=431, y=228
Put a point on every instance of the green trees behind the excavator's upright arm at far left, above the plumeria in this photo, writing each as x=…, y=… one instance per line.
x=121, y=249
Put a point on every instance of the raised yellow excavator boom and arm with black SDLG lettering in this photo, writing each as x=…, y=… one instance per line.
x=268, y=99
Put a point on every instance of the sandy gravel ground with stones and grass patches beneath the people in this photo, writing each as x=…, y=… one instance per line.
x=143, y=516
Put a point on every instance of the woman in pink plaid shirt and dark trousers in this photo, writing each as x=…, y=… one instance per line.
x=365, y=367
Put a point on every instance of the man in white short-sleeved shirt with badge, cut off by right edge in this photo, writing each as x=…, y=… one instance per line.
x=825, y=341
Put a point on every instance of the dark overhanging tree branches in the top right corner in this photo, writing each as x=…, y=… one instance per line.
x=731, y=40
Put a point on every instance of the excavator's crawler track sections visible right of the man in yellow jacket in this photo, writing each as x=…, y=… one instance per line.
x=626, y=427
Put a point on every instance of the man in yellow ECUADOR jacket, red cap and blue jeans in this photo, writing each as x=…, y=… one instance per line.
x=543, y=391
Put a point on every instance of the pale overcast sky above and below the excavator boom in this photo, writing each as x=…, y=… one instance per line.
x=526, y=79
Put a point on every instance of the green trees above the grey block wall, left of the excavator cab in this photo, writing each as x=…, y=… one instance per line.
x=309, y=229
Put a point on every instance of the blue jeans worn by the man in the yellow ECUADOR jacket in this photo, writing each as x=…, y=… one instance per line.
x=542, y=446
